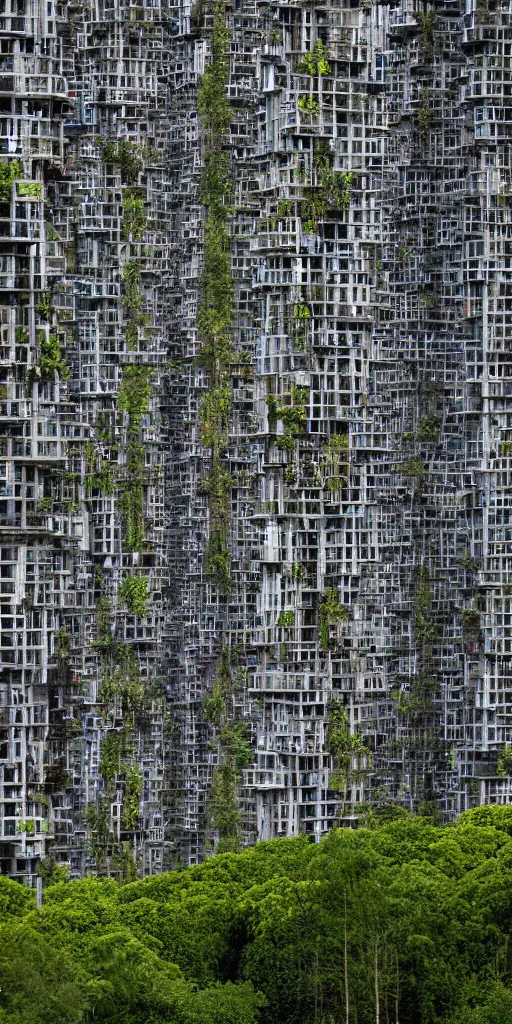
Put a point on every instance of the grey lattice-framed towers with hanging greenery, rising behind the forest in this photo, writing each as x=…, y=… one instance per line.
x=255, y=435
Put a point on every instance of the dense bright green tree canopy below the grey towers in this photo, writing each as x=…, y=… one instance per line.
x=400, y=921
